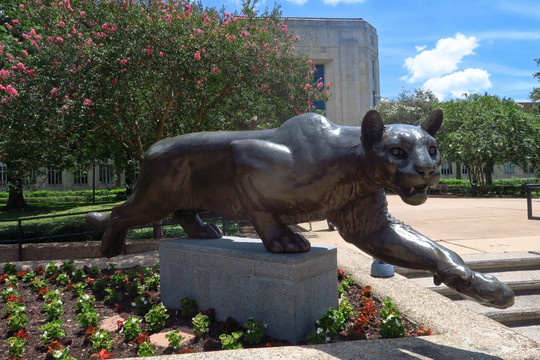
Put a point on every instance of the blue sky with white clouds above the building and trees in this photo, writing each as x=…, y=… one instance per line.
x=447, y=46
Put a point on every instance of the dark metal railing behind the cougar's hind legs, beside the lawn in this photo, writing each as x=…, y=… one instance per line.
x=76, y=237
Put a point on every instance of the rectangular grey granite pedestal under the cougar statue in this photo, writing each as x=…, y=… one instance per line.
x=239, y=278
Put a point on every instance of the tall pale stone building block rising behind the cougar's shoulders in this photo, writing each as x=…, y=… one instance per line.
x=346, y=54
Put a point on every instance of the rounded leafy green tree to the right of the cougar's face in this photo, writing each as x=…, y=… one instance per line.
x=480, y=131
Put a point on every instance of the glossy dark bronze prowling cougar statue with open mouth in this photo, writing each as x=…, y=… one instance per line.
x=307, y=169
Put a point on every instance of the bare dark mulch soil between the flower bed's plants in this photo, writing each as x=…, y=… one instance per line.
x=80, y=347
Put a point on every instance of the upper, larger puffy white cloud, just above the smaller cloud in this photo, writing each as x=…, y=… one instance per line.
x=441, y=60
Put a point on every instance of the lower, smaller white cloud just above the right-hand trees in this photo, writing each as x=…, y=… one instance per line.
x=458, y=83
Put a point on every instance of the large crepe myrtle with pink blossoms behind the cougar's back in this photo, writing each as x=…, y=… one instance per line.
x=145, y=70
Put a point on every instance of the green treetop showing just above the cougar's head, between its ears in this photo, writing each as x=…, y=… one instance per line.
x=410, y=107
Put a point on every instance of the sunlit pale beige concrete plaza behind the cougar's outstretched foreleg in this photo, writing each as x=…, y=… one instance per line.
x=464, y=225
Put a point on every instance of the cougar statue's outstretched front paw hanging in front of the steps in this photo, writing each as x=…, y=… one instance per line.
x=486, y=290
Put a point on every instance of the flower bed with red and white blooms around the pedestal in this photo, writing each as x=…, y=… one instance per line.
x=59, y=312
